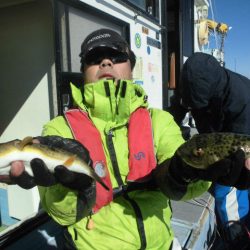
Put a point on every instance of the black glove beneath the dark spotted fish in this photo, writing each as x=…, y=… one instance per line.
x=230, y=171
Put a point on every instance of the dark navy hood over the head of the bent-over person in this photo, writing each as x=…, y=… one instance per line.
x=202, y=78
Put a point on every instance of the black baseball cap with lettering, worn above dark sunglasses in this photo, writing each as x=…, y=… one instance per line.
x=106, y=38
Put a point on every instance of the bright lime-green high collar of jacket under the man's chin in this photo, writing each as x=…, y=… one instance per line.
x=108, y=101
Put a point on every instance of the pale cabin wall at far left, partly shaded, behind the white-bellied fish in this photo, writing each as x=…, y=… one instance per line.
x=27, y=69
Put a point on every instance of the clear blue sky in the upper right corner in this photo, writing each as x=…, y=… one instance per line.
x=236, y=14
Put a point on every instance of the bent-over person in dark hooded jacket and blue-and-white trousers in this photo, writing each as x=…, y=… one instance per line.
x=219, y=100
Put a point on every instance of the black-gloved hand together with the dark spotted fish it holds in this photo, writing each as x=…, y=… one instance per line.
x=218, y=157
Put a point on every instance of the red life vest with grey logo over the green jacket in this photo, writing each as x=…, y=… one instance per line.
x=141, y=148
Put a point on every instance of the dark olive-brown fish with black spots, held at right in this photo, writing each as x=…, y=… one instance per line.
x=203, y=150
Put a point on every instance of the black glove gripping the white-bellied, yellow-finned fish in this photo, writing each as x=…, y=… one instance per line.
x=42, y=175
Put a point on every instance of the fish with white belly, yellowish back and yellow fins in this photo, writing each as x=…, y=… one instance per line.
x=25, y=150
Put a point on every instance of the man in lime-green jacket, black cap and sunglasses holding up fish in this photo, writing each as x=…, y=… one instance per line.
x=130, y=146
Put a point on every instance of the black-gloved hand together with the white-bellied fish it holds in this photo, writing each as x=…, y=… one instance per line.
x=54, y=159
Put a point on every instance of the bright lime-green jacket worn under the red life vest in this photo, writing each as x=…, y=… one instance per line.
x=115, y=226
